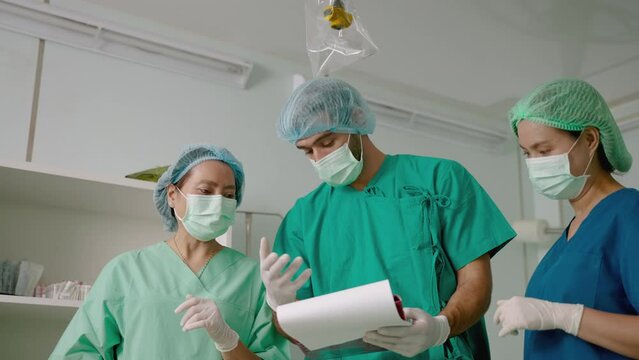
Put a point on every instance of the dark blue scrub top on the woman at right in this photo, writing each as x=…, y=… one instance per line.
x=597, y=267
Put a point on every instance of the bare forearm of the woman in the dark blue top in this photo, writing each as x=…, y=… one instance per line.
x=615, y=332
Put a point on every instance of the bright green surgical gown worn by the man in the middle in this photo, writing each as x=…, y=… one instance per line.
x=418, y=221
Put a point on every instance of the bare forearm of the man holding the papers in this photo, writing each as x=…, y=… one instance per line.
x=471, y=298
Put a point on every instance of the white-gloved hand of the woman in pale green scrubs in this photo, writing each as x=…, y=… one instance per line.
x=203, y=313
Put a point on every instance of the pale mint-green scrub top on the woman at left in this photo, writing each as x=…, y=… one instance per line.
x=129, y=312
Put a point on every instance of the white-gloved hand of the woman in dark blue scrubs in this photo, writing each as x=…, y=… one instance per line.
x=520, y=313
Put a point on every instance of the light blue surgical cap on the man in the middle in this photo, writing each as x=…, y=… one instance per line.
x=324, y=104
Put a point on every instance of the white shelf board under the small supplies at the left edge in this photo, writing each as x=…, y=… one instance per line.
x=25, y=307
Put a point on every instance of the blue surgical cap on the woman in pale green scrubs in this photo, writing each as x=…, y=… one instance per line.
x=190, y=157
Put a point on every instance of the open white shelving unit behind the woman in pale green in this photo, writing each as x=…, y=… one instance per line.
x=73, y=224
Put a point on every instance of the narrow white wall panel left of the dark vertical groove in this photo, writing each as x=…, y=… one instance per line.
x=18, y=56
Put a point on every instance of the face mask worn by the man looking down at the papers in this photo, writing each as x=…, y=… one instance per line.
x=340, y=168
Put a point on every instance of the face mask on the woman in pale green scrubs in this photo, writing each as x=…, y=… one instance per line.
x=207, y=216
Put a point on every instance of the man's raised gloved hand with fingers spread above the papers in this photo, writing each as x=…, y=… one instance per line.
x=280, y=287
